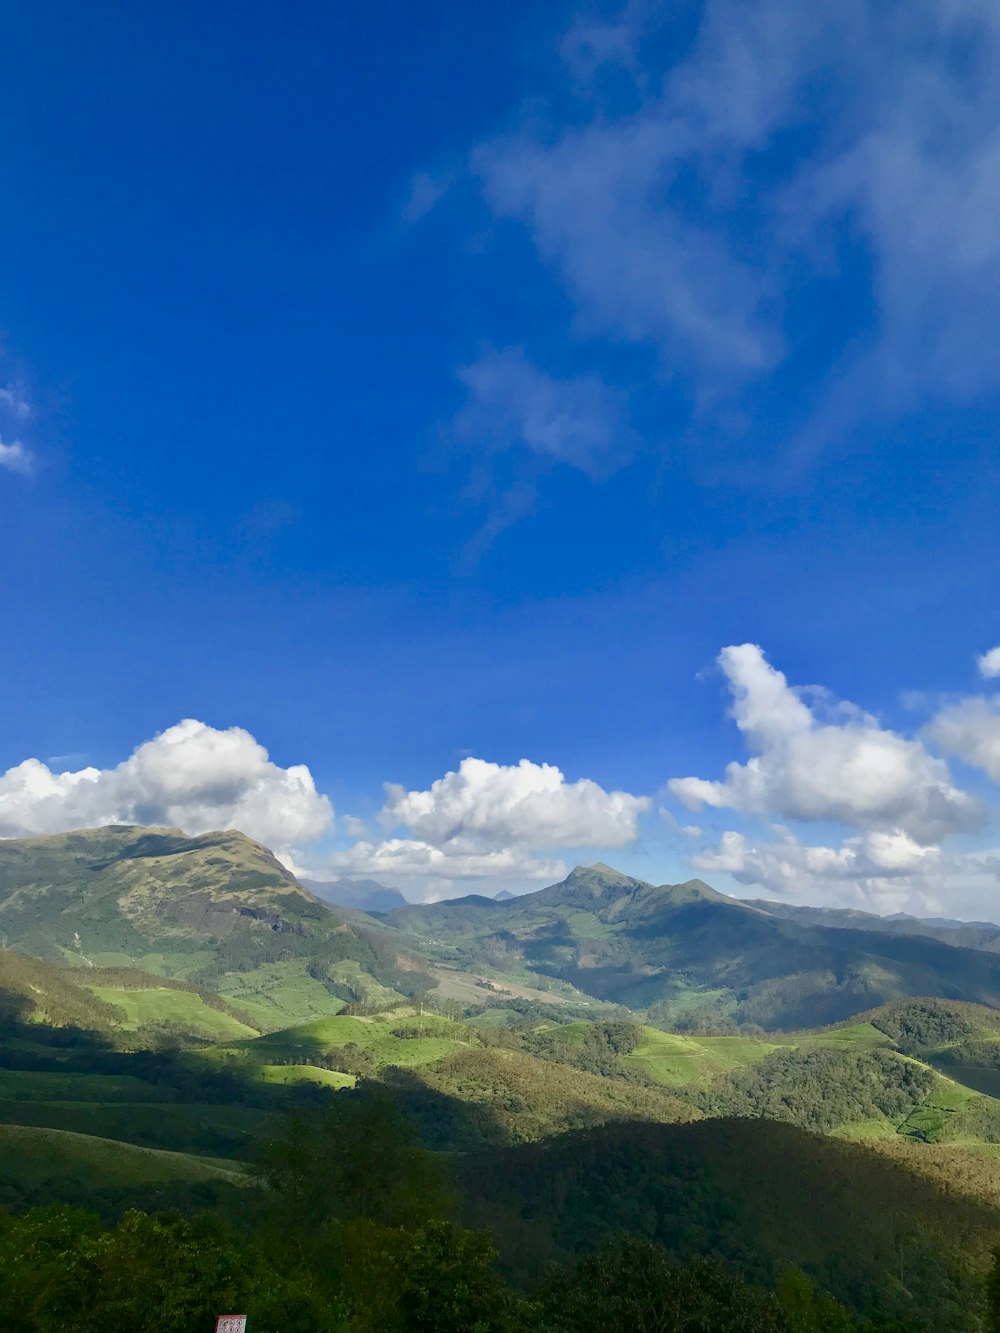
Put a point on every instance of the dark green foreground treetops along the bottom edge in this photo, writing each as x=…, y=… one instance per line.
x=355, y=1234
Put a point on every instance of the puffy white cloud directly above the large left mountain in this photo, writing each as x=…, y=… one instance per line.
x=193, y=776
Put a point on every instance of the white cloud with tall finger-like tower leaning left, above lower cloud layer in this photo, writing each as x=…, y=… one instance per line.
x=850, y=772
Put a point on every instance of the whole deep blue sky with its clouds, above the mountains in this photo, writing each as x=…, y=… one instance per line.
x=401, y=391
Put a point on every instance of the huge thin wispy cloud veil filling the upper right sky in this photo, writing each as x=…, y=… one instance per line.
x=690, y=209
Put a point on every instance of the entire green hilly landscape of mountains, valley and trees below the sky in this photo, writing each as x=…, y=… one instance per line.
x=773, y=1118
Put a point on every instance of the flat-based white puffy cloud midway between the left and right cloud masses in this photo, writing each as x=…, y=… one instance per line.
x=494, y=820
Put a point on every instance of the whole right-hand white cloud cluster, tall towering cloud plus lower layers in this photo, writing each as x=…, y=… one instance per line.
x=818, y=762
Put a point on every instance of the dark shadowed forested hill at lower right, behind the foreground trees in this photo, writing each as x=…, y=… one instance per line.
x=757, y=1194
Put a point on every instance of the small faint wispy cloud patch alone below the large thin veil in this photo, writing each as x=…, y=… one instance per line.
x=579, y=422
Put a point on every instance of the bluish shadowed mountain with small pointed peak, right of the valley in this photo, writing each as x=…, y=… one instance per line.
x=689, y=955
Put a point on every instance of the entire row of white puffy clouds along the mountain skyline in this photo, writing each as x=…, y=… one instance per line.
x=830, y=806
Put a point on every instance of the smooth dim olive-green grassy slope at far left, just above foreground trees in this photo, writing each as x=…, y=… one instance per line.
x=31, y=1156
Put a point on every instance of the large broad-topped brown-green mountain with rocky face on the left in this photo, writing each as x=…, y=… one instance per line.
x=218, y=908
